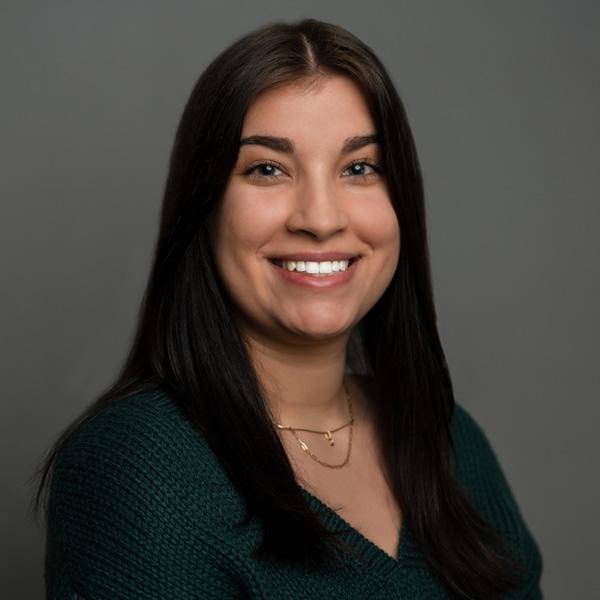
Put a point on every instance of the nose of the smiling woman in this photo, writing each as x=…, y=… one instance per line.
x=317, y=209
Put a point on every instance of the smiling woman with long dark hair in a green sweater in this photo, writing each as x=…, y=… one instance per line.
x=284, y=425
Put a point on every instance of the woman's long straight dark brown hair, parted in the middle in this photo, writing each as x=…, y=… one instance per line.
x=187, y=343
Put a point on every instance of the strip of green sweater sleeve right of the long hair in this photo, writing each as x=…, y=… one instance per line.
x=483, y=478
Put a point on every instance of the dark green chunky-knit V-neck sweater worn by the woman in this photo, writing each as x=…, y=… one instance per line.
x=140, y=507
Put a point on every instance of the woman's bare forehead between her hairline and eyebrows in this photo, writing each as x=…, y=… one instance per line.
x=327, y=113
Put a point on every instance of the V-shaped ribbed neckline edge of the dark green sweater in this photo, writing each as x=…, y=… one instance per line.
x=375, y=557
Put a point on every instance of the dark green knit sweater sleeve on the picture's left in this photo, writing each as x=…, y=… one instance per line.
x=123, y=520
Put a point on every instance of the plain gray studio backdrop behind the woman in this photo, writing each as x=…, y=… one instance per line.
x=503, y=98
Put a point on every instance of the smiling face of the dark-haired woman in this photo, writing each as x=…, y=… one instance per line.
x=302, y=190
